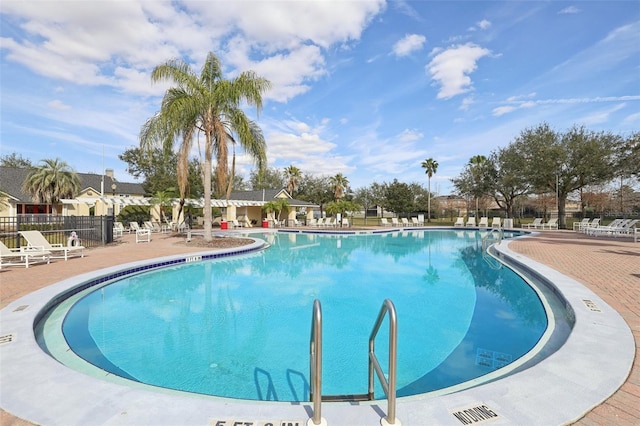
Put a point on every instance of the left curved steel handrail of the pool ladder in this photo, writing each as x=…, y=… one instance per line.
x=315, y=358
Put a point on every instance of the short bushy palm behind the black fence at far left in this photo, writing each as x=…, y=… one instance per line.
x=52, y=181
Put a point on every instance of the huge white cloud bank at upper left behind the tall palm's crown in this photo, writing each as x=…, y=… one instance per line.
x=116, y=44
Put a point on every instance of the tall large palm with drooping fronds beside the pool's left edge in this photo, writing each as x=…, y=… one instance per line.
x=208, y=104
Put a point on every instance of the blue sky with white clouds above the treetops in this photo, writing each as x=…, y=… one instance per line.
x=365, y=88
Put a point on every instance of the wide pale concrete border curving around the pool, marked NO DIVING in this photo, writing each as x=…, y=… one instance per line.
x=588, y=368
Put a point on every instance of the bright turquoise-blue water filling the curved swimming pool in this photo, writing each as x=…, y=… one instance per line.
x=239, y=327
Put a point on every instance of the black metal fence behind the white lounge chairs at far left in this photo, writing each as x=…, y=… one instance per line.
x=92, y=231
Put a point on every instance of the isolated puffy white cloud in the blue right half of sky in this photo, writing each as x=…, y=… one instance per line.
x=451, y=68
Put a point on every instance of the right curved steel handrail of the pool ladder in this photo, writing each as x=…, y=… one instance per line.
x=390, y=386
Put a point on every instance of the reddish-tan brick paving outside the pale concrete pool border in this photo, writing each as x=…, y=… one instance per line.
x=609, y=267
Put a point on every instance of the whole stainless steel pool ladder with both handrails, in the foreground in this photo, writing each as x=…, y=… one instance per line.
x=315, y=366
